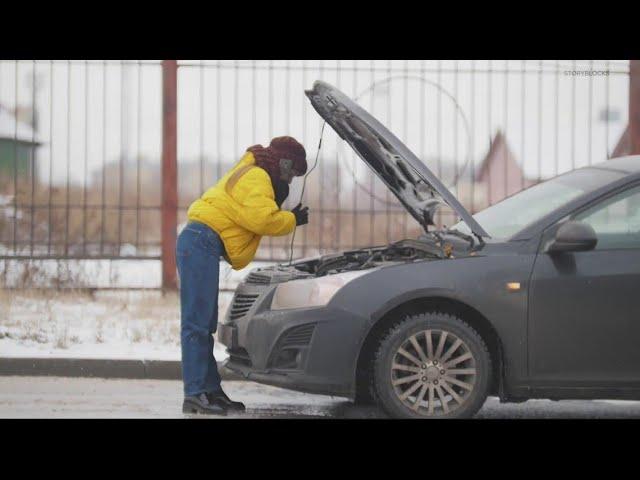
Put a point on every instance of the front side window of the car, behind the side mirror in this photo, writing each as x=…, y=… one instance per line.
x=616, y=220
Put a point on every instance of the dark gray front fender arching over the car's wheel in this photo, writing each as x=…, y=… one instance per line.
x=478, y=283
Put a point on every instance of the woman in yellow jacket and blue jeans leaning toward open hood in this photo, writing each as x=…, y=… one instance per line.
x=229, y=220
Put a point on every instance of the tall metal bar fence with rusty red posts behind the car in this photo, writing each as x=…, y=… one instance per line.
x=100, y=160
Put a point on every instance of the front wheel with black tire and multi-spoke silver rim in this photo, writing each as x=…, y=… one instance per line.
x=416, y=378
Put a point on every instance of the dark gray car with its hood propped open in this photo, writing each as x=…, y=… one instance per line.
x=537, y=296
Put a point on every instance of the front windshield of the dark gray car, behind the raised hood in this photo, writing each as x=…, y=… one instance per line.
x=509, y=216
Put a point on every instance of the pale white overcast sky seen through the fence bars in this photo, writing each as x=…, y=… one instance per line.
x=95, y=112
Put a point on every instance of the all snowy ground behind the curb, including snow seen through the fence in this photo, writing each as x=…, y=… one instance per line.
x=132, y=324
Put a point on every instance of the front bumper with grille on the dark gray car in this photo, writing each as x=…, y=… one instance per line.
x=322, y=343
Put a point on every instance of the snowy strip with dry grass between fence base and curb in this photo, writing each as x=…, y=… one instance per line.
x=107, y=324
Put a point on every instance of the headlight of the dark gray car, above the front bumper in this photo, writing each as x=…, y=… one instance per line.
x=312, y=292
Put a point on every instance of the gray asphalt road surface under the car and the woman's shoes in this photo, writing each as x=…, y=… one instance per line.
x=54, y=397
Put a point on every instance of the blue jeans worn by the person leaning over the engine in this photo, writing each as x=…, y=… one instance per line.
x=198, y=252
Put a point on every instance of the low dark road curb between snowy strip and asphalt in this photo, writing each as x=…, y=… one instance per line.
x=101, y=368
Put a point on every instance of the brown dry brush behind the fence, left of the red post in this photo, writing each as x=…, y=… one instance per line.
x=75, y=217
